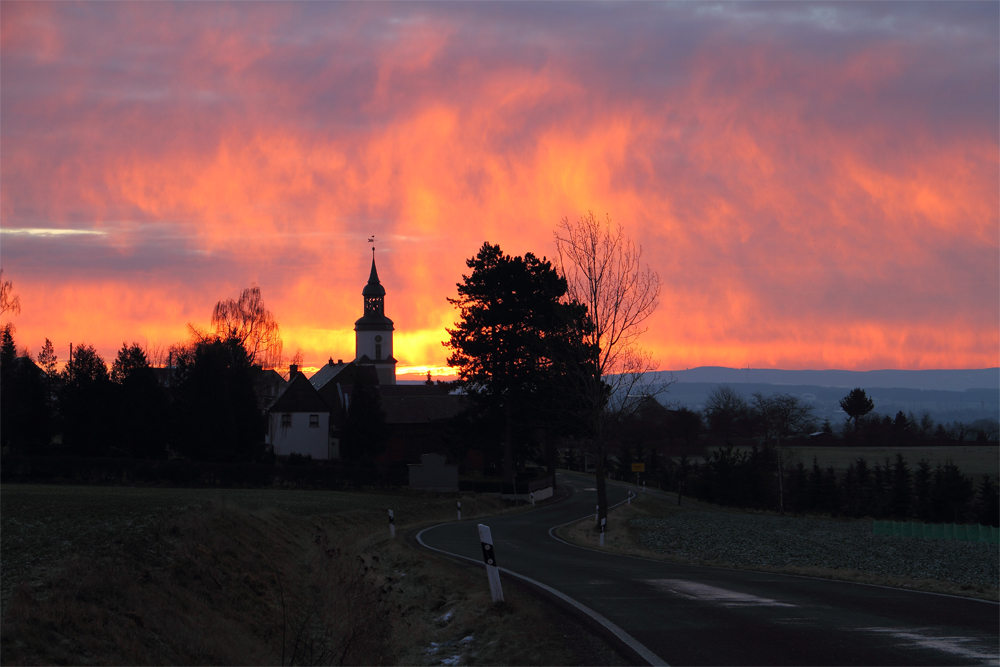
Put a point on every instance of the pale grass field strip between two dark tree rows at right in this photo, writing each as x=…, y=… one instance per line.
x=972, y=460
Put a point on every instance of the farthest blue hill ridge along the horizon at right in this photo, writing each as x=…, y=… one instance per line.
x=947, y=380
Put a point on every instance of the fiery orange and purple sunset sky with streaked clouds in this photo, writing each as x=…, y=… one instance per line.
x=815, y=184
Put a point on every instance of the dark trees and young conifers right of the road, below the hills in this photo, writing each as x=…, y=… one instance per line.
x=761, y=475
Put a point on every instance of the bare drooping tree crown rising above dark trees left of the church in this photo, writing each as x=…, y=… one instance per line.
x=248, y=321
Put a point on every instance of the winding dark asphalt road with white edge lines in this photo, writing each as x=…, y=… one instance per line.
x=691, y=615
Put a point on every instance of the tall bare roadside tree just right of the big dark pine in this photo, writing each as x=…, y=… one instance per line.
x=604, y=272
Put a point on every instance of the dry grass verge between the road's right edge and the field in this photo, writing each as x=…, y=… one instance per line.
x=623, y=538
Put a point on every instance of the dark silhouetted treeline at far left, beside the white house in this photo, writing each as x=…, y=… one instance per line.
x=206, y=410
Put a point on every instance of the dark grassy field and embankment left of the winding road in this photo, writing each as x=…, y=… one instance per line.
x=184, y=576
